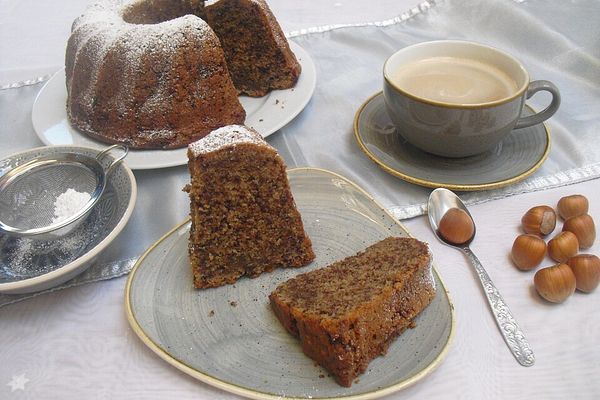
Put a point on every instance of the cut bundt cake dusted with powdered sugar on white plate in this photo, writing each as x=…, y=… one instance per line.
x=153, y=73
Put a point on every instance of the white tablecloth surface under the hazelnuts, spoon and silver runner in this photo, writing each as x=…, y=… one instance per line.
x=76, y=343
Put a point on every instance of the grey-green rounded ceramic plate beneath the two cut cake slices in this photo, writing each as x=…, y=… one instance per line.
x=228, y=336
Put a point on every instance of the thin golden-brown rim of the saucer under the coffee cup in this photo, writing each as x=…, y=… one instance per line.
x=451, y=186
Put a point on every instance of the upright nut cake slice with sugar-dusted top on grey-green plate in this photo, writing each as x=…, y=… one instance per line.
x=244, y=220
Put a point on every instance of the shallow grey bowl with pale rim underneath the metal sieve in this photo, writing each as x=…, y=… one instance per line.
x=29, y=265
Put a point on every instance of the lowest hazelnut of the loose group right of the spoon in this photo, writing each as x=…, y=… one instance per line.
x=555, y=283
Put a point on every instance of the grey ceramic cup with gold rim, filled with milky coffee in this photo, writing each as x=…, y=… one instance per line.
x=457, y=98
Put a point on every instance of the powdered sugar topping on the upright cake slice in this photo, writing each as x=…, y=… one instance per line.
x=229, y=135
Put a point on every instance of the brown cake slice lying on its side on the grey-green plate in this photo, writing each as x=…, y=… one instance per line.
x=348, y=313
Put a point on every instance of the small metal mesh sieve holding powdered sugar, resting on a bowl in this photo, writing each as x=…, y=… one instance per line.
x=29, y=192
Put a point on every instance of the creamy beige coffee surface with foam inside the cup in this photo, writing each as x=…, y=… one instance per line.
x=454, y=80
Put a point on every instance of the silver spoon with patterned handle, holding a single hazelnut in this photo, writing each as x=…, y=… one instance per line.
x=440, y=201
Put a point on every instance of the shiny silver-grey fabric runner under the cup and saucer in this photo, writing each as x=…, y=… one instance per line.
x=555, y=45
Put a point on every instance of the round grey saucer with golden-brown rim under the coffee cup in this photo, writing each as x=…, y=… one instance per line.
x=519, y=155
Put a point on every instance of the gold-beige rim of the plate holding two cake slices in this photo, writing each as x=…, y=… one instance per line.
x=253, y=394
